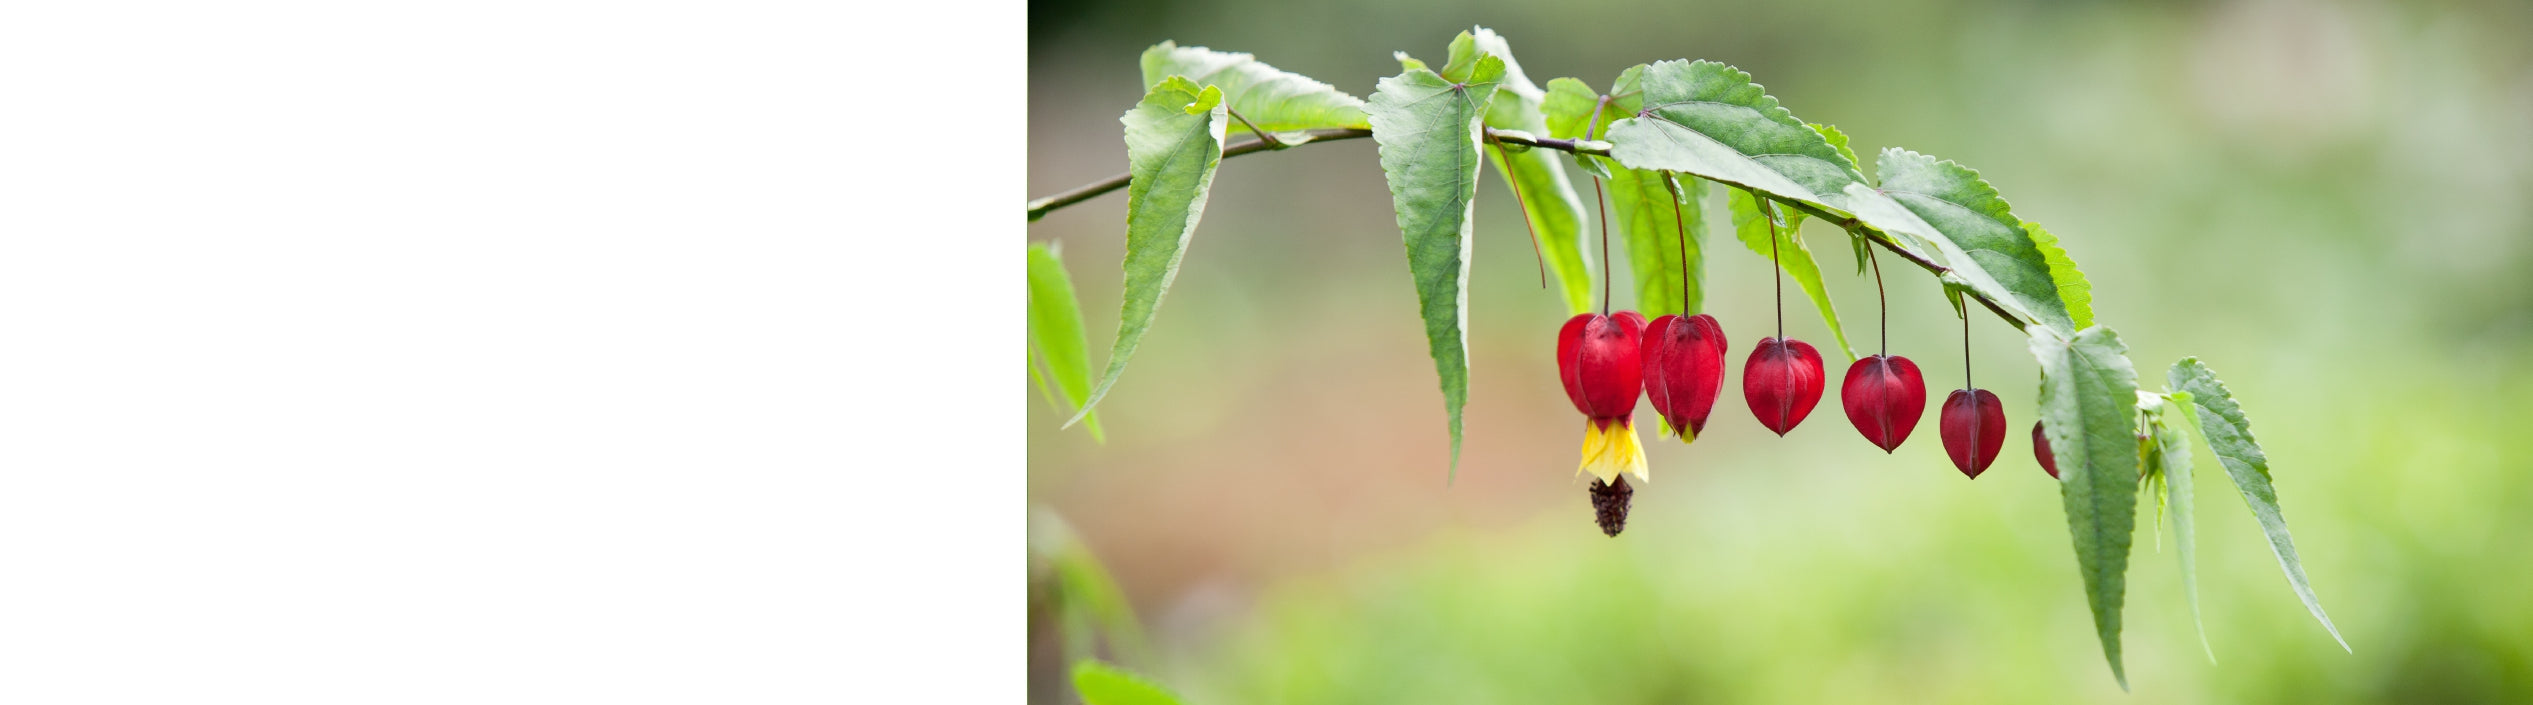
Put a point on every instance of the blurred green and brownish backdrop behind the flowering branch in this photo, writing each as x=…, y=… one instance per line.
x=2327, y=202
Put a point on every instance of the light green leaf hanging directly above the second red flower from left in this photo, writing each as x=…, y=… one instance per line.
x=1668, y=262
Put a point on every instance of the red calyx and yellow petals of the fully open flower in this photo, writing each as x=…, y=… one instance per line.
x=1600, y=359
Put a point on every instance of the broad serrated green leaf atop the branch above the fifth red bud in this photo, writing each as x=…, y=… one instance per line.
x=1980, y=224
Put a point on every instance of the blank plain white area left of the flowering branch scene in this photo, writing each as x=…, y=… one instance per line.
x=510, y=354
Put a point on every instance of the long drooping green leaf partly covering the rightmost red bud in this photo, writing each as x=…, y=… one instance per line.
x=2088, y=415
